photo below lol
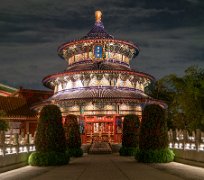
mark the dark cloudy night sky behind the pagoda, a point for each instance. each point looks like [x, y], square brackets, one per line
[170, 34]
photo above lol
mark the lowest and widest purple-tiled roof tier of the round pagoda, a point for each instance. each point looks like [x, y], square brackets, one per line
[102, 95]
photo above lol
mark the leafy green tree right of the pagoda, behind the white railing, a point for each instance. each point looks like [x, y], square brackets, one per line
[185, 98]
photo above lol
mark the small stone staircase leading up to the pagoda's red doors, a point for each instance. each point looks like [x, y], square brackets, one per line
[100, 148]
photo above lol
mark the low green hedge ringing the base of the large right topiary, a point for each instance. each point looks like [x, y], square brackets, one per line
[155, 156]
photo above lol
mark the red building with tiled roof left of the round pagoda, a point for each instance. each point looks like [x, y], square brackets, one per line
[17, 106]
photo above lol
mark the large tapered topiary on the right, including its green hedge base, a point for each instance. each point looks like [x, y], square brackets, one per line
[153, 138]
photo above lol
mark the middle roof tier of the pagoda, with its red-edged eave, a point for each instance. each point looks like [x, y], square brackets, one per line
[88, 71]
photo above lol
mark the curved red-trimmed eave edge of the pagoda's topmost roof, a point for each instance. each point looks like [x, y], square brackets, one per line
[67, 44]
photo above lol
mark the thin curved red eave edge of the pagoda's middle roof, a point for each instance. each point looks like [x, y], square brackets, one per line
[57, 75]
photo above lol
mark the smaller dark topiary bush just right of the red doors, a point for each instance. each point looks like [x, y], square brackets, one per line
[130, 135]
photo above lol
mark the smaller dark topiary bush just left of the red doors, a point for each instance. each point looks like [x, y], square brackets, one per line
[73, 137]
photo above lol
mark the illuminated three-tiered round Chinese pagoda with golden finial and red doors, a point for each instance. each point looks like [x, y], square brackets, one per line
[98, 84]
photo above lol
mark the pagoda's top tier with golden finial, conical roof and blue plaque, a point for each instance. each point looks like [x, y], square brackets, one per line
[98, 45]
